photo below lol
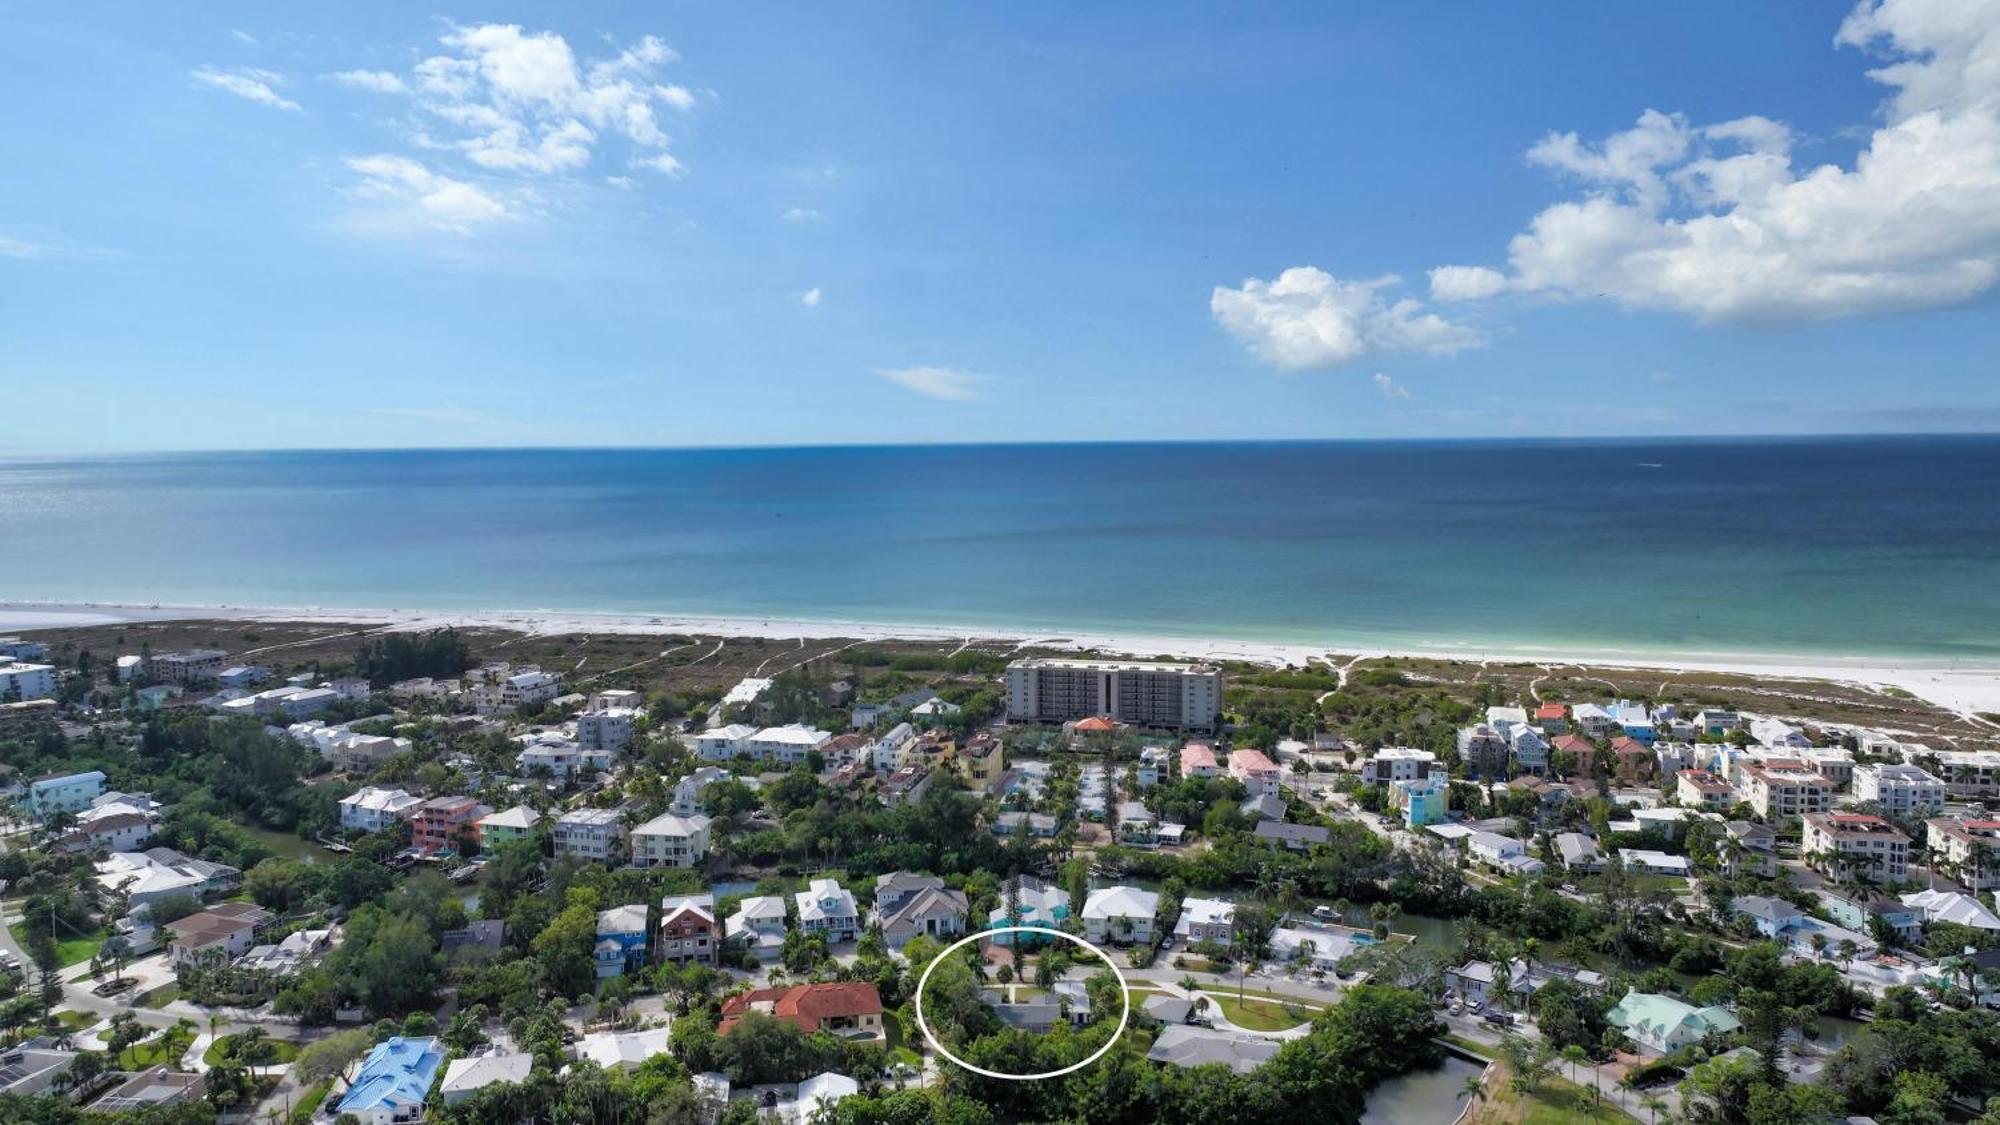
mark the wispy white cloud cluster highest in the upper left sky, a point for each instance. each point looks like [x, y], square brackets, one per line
[521, 101]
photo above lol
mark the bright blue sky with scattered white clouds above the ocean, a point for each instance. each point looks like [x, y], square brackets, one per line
[385, 225]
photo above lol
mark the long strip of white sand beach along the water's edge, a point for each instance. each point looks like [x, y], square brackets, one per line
[1955, 686]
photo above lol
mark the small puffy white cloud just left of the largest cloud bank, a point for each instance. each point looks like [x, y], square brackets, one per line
[1309, 319]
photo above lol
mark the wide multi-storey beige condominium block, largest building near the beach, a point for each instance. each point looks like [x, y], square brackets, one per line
[1043, 690]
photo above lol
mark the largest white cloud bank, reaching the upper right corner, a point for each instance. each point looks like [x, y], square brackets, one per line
[1719, 223]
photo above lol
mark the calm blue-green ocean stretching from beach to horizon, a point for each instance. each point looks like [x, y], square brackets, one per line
[1867, 545]
